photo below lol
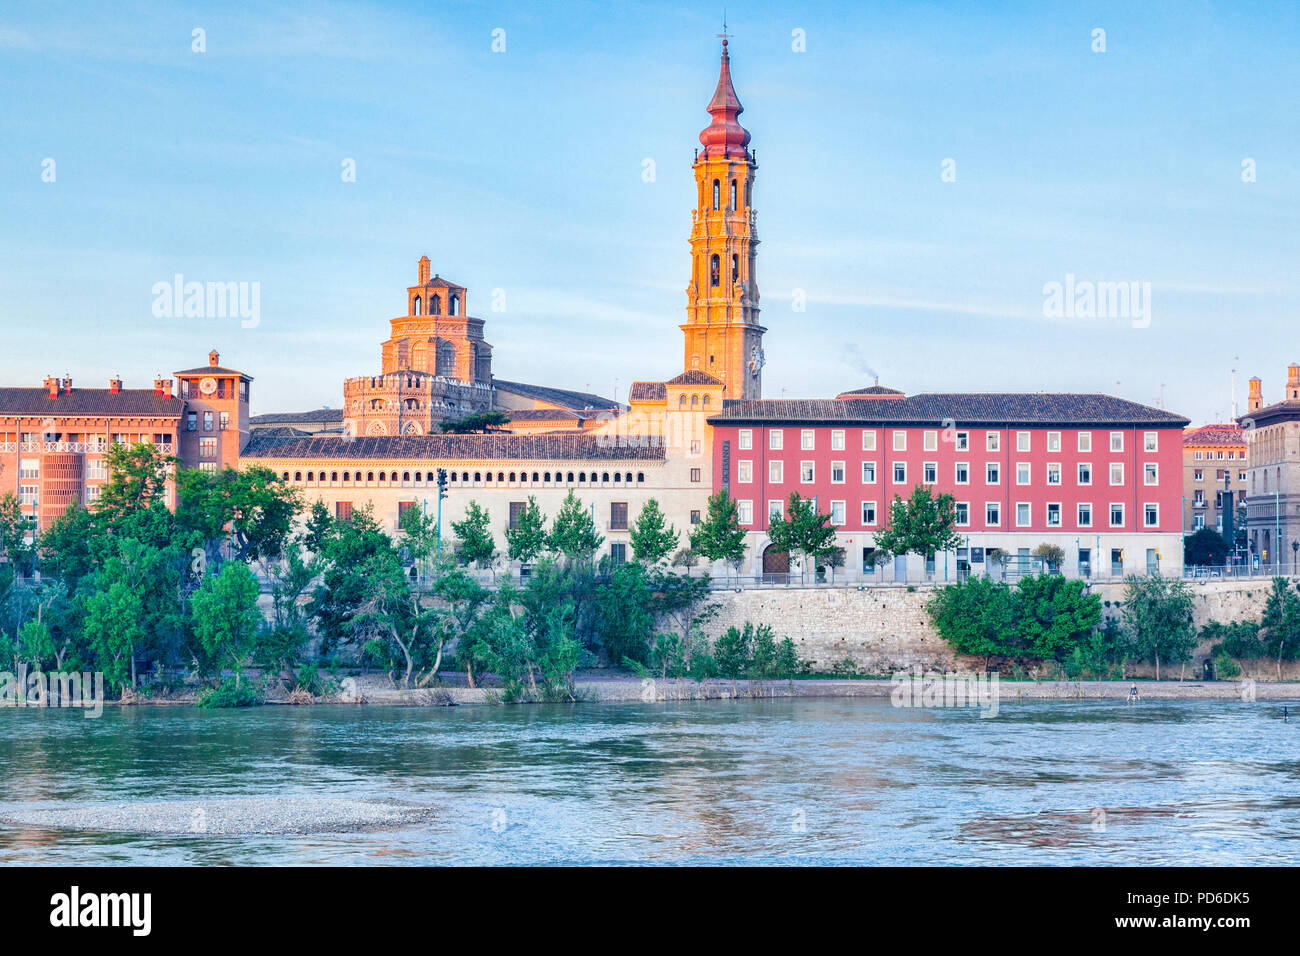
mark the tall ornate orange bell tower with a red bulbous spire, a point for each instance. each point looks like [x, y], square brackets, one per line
[722, 331]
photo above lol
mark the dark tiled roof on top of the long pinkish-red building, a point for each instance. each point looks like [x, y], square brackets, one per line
[963, 408]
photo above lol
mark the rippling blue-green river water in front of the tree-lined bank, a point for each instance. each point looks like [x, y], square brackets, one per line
[731, 782]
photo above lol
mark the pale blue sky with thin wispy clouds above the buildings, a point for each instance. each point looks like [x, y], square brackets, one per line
[926, 172]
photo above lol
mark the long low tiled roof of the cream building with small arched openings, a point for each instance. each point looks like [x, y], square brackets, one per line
[487, 448]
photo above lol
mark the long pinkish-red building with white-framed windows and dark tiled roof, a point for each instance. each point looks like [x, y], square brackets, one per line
[1098, 477]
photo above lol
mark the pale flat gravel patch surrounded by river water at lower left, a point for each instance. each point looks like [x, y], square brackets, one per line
[223, 817]
